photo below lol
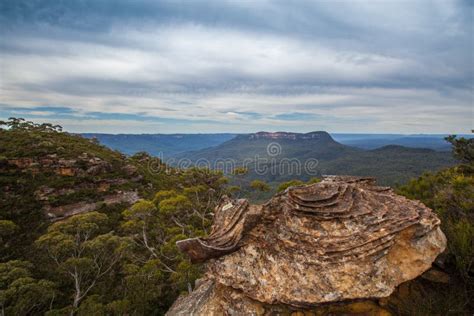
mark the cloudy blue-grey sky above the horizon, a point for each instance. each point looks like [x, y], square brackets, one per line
[241, 66]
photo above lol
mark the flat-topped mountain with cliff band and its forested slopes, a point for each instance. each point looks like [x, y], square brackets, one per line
[274, 157]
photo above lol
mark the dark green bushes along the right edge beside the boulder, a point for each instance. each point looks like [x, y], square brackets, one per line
[450, 193]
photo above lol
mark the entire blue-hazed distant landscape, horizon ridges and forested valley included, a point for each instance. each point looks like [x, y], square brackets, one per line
[391, 158]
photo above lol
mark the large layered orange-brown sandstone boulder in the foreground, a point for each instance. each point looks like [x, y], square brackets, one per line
[338, 240]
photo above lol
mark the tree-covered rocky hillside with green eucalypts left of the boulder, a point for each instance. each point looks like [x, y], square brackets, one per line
[76, 239]
